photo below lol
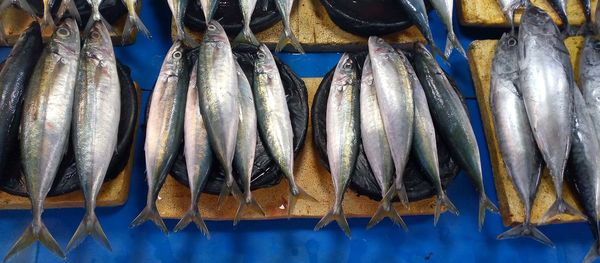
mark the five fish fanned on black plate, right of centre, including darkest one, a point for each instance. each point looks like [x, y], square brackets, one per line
[395, 109]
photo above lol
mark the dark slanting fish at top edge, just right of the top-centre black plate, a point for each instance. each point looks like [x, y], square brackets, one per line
[416, 11]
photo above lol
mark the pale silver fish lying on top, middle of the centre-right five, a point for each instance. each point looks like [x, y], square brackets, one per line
[395, 99]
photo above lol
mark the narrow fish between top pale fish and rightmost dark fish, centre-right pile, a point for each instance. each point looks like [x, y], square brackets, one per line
[424, 144]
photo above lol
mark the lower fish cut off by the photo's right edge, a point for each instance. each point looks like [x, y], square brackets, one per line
[584, 169]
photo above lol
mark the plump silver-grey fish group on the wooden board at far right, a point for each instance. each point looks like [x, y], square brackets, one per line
[541, 116]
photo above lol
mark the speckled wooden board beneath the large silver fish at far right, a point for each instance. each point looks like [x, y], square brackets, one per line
[480, 56]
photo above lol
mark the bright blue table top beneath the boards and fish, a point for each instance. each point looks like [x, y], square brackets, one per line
[454, 239]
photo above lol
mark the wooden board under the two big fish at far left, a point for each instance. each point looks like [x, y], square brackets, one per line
[112, 193]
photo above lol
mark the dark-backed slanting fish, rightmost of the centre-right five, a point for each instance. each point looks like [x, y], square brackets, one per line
[452, 122]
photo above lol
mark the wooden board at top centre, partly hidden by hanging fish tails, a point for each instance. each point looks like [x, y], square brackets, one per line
[317, 32]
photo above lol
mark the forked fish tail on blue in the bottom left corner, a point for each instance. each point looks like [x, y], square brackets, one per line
[34, 232]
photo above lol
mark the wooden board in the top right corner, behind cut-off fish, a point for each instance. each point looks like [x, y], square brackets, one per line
[487, 13]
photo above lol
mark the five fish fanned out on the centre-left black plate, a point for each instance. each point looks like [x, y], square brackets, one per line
[219, 114]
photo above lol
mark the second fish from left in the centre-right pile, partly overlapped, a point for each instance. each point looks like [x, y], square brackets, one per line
[376, 146]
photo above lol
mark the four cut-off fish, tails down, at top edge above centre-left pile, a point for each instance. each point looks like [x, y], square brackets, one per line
[209, 7]
